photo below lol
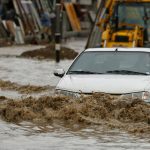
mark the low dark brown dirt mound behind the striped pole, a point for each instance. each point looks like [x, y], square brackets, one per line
[49, 53]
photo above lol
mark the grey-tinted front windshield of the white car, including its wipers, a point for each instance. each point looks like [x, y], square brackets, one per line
[99, 62]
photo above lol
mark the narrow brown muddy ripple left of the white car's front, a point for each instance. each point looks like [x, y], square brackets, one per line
[23, 89]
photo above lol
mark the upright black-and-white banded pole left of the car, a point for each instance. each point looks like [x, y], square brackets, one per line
[58, 31]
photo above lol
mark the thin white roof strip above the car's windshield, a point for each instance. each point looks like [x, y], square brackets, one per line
[119, 49]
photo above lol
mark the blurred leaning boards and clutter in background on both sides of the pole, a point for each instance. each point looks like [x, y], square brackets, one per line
[34, 19]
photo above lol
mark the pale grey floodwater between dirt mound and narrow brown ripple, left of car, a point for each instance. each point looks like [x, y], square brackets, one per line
[28, 71]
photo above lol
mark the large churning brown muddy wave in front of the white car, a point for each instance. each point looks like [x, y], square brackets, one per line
[132, 115]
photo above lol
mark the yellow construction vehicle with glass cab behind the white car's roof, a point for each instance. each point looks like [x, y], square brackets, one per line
[125, 23]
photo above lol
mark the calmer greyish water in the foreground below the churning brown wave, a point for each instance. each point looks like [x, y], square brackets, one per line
[58, 137]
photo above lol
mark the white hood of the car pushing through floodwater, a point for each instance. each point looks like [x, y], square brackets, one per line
[114, 84]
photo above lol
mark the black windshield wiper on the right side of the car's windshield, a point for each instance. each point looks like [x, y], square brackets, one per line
[126, 72]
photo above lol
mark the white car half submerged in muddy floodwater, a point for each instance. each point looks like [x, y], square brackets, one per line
[117, 71]
